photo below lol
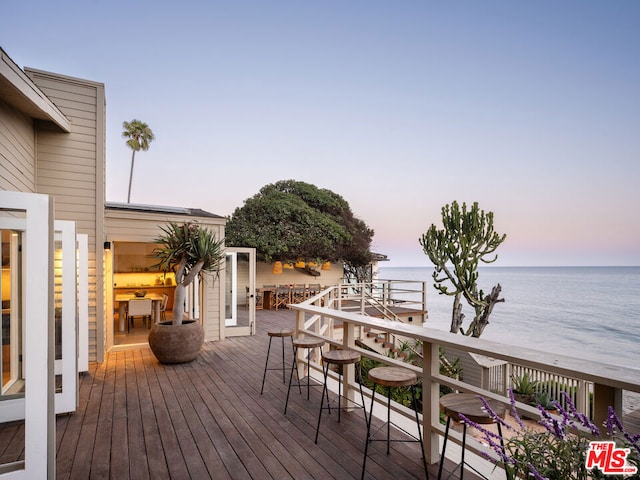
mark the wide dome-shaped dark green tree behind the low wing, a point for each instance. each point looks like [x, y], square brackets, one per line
[290, 220]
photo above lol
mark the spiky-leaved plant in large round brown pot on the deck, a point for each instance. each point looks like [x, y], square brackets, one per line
[188, 250]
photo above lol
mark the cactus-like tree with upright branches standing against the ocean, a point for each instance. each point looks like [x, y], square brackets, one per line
[467, 238]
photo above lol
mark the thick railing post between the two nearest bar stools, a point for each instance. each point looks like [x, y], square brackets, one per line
[430, 401]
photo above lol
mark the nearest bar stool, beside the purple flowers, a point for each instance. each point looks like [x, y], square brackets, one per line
[469, 405]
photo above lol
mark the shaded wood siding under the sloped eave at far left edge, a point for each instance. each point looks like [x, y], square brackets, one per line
[17, 150]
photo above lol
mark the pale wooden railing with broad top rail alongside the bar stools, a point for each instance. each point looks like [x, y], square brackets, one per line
[318, 316]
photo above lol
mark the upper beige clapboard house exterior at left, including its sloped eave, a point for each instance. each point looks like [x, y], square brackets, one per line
[52, 141]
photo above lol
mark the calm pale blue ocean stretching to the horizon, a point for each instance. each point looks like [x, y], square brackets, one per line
[587, 312]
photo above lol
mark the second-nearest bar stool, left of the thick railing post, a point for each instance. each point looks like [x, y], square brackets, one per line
[393, 377]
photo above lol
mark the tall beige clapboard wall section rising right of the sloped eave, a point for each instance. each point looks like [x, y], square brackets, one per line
[71, 168]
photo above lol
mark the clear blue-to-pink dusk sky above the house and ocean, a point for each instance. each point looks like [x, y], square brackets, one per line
[531, 109]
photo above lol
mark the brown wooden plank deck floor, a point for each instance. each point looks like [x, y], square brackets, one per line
[139, 419]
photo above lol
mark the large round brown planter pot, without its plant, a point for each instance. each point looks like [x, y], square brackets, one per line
[176, 343]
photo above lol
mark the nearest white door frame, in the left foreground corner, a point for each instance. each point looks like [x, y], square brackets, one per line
[38, 309]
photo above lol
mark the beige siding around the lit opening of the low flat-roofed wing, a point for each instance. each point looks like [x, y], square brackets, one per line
[128, 226]
